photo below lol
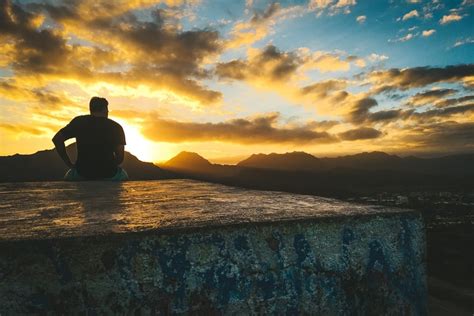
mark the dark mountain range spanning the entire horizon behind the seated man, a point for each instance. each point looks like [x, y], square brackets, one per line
[297, 172]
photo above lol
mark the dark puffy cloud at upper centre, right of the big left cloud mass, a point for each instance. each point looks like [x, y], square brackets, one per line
[270, 64]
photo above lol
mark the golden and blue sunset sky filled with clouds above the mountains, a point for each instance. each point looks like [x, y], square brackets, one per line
[227, 79]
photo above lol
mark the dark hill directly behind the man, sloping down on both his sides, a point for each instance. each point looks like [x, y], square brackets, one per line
[46, 165]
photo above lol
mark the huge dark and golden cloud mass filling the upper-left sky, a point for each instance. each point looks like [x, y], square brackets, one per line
[153, 52]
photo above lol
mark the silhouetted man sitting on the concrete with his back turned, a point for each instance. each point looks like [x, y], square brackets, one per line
[100, 145]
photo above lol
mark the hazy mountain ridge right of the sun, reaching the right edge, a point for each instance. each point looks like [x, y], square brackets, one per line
[344, 176]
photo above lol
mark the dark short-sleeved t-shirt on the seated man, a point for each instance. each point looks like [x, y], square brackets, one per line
[96, 138]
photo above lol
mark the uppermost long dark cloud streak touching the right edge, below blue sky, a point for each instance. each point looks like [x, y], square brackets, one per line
[403, 79]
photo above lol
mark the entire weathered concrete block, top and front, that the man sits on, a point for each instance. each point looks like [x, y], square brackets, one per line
[190, 247]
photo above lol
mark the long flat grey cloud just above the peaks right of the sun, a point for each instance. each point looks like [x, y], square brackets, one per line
[261, 129]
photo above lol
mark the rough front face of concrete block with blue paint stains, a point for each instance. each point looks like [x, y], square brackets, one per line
[367, 265]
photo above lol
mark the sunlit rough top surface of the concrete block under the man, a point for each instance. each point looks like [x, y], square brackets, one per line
[44, 210]
